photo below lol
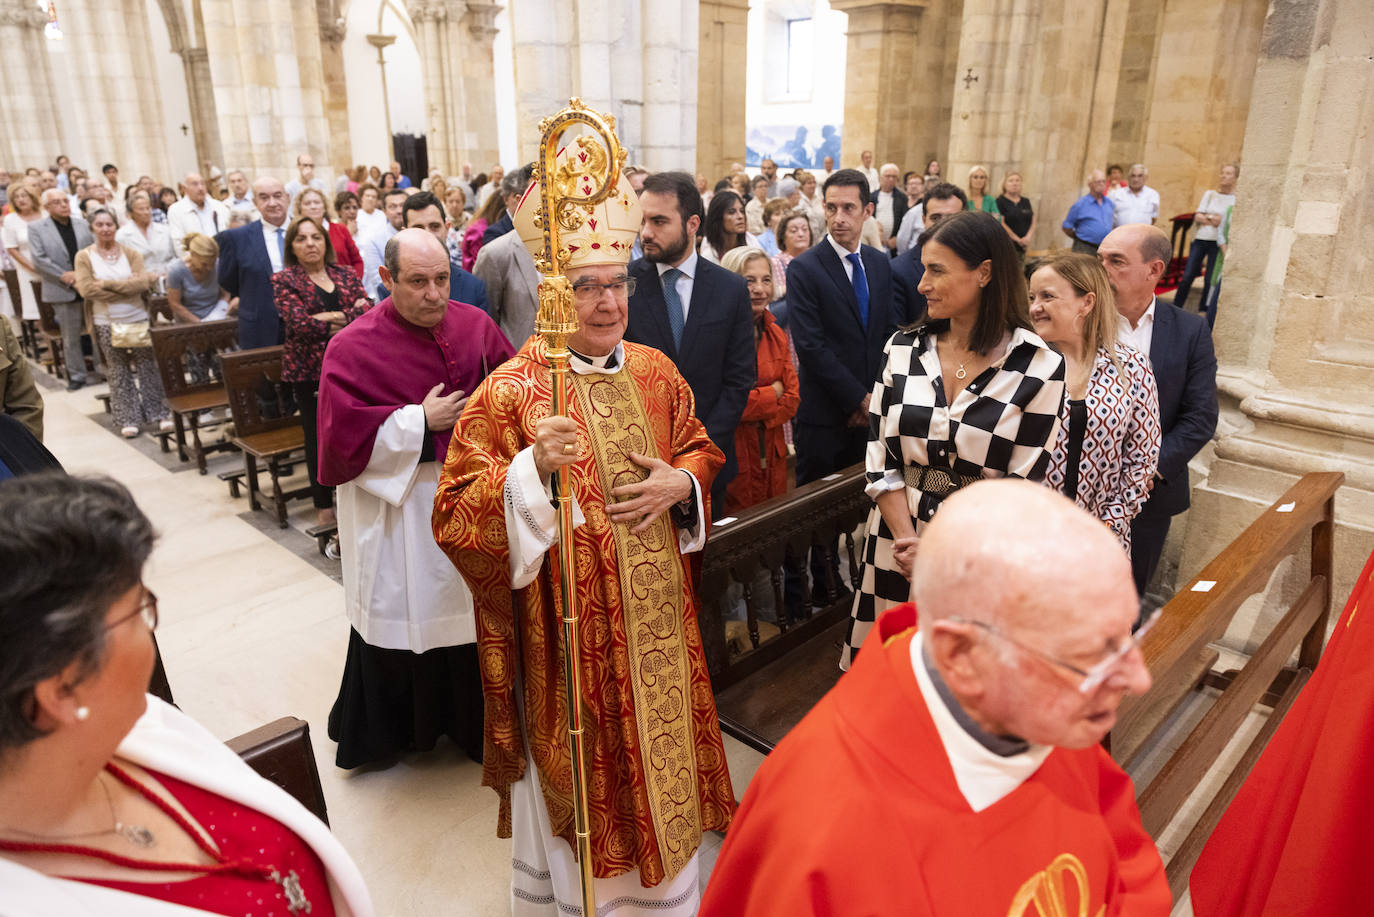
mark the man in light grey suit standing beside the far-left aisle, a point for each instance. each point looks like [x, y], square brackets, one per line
[54, 243]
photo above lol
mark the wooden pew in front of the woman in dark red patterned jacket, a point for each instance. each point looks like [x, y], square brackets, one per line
[256, 395]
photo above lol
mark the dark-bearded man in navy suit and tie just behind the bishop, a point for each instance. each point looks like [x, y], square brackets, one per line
[696, 313]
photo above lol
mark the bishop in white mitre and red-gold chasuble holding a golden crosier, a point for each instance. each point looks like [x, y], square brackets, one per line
[641, 468]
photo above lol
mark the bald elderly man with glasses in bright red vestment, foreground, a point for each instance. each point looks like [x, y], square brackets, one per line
[957, 768]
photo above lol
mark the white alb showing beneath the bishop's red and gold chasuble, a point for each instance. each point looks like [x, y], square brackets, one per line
[545, 878]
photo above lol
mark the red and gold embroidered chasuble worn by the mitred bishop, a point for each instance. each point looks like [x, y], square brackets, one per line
[657, 766]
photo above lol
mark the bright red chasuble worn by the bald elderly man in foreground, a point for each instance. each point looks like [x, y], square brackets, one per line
[857, 813]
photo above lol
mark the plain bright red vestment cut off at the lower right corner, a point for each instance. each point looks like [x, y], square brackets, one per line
[1299, 835]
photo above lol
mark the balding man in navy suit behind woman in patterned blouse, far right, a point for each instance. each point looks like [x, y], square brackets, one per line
[1180, 346]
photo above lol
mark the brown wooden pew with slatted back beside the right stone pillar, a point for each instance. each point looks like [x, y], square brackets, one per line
[1181, 661]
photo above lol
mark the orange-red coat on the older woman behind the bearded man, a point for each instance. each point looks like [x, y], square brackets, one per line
[761, 446]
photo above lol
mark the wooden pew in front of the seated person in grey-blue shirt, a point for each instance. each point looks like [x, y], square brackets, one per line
[186, 397]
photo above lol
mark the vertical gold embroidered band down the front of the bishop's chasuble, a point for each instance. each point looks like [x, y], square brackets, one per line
[653, 596]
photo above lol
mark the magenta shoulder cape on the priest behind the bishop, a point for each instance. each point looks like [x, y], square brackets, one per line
[381, 364]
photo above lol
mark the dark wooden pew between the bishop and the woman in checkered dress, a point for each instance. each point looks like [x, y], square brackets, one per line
[765, 692]
